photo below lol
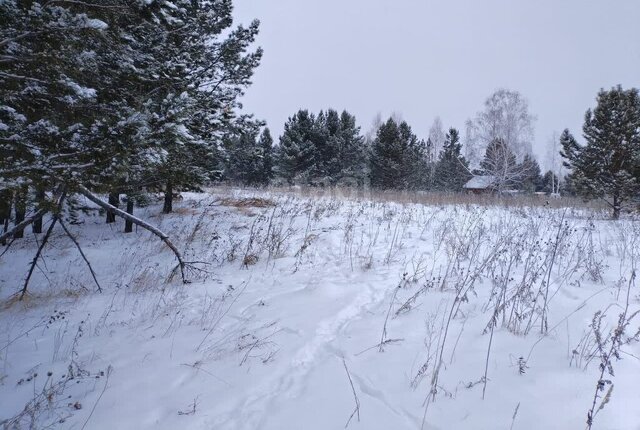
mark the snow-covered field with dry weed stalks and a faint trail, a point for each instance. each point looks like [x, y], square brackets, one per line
[301, 308]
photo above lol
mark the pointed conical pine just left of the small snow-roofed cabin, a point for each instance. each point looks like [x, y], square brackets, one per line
[452, 169]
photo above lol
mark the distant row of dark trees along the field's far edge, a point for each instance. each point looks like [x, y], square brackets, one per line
[329, 149]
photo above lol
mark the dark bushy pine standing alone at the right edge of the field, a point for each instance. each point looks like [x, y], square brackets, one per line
[608, 167]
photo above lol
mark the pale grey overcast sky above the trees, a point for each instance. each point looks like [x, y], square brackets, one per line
[431, 58]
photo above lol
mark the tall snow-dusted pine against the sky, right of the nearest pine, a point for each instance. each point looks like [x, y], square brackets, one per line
[200, 71]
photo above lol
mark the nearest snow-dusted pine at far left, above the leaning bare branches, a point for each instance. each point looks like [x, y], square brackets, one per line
[62, 111]
